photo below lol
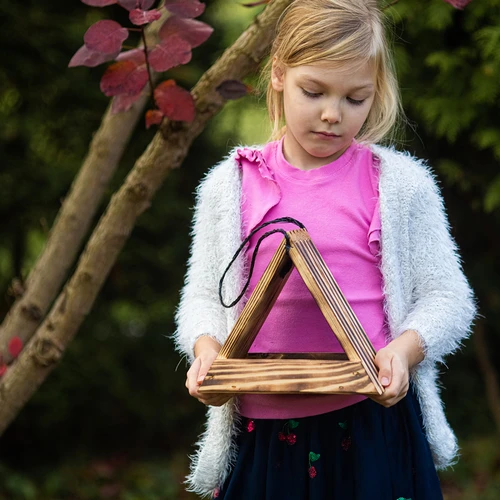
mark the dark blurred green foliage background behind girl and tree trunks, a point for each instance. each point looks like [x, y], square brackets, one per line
[114, 419]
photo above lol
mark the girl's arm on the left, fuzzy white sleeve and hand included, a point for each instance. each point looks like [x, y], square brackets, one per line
[202, 322]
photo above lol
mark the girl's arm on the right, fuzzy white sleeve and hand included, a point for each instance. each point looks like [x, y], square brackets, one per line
[442, 306]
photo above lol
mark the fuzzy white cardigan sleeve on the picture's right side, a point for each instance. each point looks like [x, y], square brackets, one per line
[443, 304]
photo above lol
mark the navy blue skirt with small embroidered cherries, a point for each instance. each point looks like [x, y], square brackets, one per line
[362, 452]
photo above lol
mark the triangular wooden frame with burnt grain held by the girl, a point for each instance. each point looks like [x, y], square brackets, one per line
[236, 371]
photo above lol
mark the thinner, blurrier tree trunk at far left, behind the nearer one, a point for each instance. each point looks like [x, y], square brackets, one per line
[73, 222]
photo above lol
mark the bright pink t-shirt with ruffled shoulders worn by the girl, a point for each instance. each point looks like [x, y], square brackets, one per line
[338, 204]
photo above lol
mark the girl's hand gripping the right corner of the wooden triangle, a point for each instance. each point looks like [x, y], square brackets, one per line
[394, 363]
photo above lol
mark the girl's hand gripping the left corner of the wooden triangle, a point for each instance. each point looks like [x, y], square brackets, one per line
[206, 350]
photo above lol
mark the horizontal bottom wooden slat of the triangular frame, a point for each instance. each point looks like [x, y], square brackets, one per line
[291, 376]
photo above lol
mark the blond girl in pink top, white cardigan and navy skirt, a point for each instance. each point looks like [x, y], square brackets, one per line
[378, 220]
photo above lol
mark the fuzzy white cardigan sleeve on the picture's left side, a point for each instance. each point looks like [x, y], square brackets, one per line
[199, 311]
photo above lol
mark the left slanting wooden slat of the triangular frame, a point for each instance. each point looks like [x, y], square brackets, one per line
[258, 306]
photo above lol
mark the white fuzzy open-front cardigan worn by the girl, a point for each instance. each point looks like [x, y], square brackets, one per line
[424, 290]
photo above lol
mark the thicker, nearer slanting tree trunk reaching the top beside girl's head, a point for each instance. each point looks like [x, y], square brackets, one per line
[165, 152]
